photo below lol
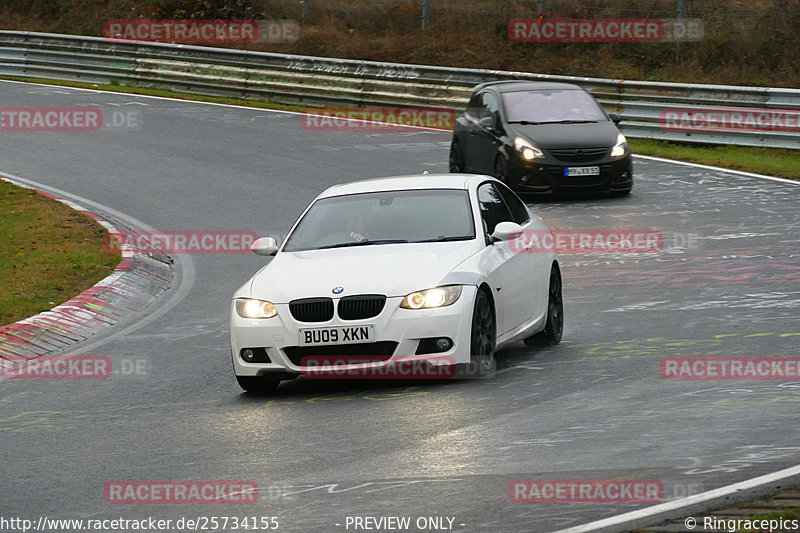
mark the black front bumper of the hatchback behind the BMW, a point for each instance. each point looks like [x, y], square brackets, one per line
[547, 176]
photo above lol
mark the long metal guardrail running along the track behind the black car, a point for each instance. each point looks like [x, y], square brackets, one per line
[317, 81]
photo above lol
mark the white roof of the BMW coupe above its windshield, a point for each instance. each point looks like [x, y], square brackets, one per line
[408, 182]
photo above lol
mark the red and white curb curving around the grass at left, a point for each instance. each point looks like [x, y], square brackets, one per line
[134, 284]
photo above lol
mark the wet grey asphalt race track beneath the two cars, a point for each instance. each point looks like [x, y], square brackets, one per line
[594, 407]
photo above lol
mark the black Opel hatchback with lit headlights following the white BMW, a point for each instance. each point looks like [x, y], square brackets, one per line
[542, 137]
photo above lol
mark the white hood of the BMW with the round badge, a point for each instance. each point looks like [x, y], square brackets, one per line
[390, 269]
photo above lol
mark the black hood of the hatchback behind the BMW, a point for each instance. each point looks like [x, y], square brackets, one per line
[587, 135]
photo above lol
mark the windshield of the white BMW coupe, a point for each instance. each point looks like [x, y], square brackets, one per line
[391, 217]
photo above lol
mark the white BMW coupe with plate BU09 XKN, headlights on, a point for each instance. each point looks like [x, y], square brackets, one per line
[411, 266]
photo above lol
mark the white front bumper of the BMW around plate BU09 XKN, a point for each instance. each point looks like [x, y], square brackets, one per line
[398, 333]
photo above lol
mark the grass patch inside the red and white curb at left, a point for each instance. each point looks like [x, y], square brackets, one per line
[48, 253]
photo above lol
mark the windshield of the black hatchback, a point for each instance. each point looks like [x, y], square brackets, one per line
[547, 107]
